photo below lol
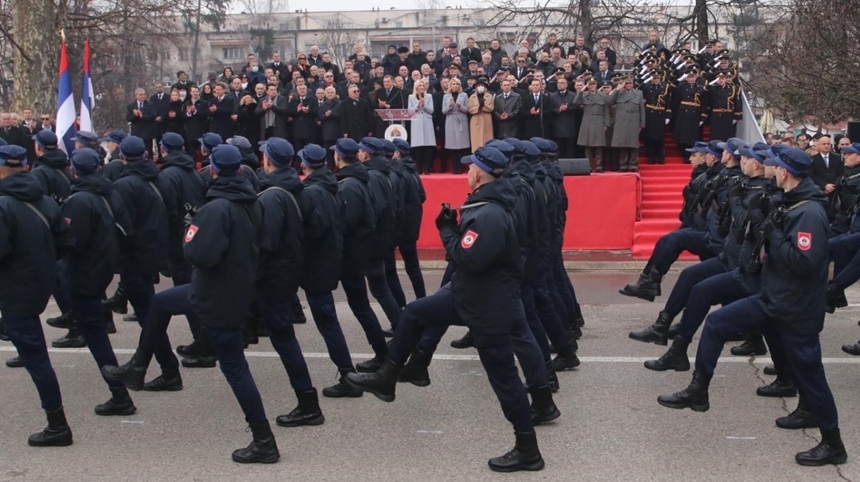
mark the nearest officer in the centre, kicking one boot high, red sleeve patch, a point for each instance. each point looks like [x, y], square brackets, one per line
[483, 295]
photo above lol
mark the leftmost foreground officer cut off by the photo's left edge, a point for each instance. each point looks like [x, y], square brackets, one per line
[35, 235]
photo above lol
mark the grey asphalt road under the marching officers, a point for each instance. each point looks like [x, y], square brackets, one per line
[611, 429]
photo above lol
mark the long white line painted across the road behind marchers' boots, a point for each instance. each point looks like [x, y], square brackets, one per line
[363, 356]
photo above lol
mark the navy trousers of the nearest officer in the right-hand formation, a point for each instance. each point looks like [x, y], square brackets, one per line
[800, 353]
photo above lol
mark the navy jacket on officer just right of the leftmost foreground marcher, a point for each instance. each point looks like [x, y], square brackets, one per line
[94, 258]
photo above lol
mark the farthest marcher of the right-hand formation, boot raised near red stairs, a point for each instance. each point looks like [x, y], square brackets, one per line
[671, 245]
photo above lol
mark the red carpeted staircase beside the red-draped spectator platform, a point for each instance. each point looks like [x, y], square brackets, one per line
[661, 198]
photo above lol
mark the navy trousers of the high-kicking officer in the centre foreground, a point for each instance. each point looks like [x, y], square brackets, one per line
[496, 352]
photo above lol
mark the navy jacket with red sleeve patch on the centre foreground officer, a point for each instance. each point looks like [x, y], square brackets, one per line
[487, 260]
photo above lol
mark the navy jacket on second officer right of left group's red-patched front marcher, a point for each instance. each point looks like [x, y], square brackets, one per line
[323, 232]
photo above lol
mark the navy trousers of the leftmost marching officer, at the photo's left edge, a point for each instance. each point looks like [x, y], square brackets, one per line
[29, 339]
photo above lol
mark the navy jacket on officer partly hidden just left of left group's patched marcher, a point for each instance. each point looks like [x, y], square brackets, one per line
[181, 186]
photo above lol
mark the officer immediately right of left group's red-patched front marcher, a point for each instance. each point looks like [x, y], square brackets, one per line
[282, 250]
